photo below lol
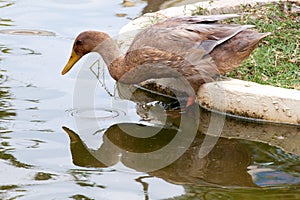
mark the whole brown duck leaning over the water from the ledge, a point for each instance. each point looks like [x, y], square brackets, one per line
[196, 48]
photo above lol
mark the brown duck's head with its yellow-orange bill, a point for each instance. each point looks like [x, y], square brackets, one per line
[85, 43]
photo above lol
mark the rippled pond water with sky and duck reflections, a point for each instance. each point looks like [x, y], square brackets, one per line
[55, 145]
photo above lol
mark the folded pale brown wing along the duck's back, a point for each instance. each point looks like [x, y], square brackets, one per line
[180, 34]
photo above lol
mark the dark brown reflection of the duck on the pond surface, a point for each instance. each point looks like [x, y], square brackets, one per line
[225, 165]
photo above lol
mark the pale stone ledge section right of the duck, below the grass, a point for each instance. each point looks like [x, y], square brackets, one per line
[252, 100]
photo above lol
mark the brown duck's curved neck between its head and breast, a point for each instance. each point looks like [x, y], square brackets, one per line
[112, 57]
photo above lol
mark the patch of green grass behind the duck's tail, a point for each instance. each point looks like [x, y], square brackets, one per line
[277, 59]
